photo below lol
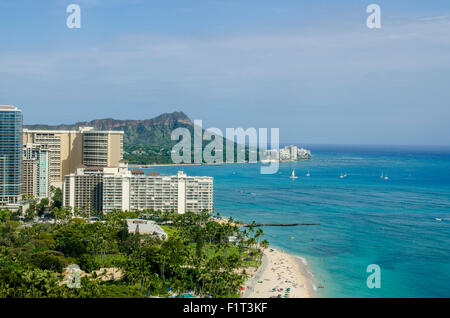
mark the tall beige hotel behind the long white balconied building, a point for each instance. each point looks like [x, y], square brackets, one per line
[69, 149]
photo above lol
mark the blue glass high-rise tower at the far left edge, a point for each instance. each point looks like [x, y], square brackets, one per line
[10, 155]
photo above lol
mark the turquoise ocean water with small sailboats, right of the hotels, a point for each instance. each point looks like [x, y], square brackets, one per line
[364, 219]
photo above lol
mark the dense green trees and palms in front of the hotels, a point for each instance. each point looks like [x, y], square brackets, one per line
[198, 257]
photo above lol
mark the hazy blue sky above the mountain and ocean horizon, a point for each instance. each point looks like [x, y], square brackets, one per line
[313, 69]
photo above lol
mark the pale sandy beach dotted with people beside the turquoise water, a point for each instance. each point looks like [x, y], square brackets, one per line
[281, 275]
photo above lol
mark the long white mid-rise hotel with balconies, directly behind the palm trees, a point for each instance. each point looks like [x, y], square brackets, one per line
[108, 189]
